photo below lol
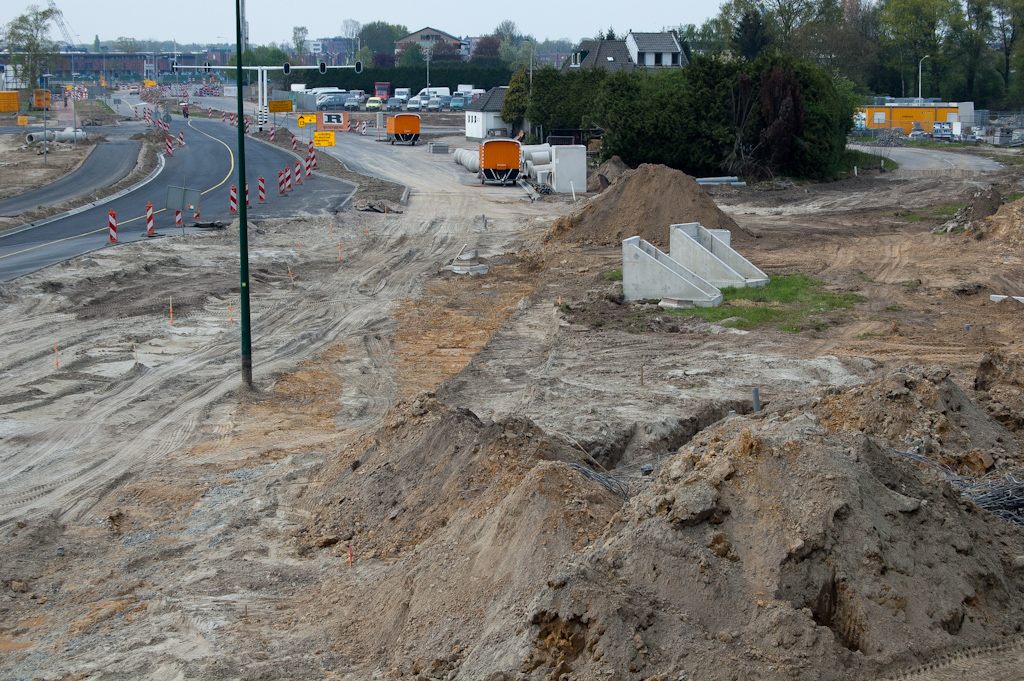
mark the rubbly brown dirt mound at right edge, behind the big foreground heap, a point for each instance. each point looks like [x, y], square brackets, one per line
[922, 410]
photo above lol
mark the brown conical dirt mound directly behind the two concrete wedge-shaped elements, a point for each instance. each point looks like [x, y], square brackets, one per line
[645, 202]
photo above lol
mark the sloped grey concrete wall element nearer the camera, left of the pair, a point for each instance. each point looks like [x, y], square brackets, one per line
[648, 273]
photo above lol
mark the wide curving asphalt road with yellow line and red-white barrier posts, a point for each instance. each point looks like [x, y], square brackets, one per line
[208, 163]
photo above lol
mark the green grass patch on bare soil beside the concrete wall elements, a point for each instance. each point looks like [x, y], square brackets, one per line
[792, 302]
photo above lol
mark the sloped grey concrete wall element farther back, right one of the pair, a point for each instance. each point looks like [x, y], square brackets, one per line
[704, 253]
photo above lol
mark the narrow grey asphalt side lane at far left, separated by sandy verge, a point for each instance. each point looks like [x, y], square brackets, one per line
[108, 163]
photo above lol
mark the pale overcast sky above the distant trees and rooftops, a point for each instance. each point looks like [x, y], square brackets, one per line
[272, 21]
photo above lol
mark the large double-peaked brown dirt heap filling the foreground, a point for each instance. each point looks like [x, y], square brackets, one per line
[766, 548]
